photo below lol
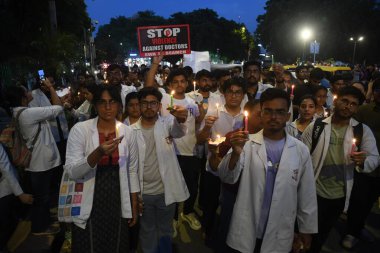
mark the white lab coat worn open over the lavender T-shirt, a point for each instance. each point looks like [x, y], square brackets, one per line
[294, 196]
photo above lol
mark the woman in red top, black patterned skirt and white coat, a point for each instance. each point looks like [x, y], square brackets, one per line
[102, 158]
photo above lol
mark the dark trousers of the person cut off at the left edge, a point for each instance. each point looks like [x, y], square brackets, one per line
[8, 219]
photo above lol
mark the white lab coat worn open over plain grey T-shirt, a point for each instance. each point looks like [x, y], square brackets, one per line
[175, 188]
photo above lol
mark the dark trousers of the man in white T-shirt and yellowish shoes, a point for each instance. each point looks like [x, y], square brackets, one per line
[190, 170]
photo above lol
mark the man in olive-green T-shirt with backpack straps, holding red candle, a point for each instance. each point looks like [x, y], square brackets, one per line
[333, 165]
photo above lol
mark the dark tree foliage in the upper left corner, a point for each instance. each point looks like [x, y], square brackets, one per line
[27, 42]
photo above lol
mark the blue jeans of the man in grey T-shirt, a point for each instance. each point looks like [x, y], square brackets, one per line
[156, 227]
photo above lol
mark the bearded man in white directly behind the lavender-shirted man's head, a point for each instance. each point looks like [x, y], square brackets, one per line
[252, 74]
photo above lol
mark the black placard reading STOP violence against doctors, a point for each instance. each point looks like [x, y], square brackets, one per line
[168, 40]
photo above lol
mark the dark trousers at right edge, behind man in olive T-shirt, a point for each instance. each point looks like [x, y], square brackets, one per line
[364, 193]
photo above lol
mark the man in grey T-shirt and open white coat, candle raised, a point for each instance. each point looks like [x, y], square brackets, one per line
[161, 180]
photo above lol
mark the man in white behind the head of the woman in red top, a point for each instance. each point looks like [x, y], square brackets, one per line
[115, 78]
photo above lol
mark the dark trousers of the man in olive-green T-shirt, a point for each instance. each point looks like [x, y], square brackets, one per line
[328, 213]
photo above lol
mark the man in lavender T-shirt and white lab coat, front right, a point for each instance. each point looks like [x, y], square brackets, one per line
[276, 184]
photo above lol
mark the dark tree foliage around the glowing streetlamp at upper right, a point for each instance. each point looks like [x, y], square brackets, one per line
[333, 22]
